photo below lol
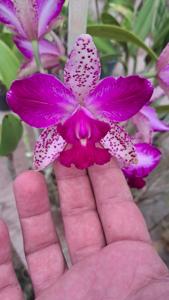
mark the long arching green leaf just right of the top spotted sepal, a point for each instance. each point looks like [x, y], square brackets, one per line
[119, 34]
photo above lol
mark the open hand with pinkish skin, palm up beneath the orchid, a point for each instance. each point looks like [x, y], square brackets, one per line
[111, 251]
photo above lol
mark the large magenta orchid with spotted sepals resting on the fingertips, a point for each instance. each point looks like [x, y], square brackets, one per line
[80, 116]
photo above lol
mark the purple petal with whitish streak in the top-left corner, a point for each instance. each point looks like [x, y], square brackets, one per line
[8, 16]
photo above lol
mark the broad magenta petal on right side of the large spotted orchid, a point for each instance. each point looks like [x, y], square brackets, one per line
[118, 99]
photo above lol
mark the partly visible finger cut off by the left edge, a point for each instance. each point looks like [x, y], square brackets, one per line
[9, 287]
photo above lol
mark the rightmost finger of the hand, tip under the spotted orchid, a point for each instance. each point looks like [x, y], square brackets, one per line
[120, 217]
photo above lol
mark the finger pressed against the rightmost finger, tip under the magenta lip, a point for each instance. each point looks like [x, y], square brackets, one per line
[83, 230]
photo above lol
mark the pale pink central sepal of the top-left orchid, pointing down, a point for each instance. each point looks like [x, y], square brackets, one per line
[27, 14]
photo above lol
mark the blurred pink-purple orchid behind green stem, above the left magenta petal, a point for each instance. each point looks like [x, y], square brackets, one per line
[50, 53]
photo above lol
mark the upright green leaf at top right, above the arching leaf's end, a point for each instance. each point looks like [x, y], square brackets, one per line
[145, 19]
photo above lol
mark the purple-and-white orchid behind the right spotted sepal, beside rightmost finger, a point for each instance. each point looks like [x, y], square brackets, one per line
[148, 158]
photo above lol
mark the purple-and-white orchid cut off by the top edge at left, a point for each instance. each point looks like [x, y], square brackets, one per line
[29, 19]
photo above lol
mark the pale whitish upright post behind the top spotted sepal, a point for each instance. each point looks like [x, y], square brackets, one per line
[78, 11]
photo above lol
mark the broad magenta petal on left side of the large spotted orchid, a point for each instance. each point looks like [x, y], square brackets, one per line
[41, 100]
